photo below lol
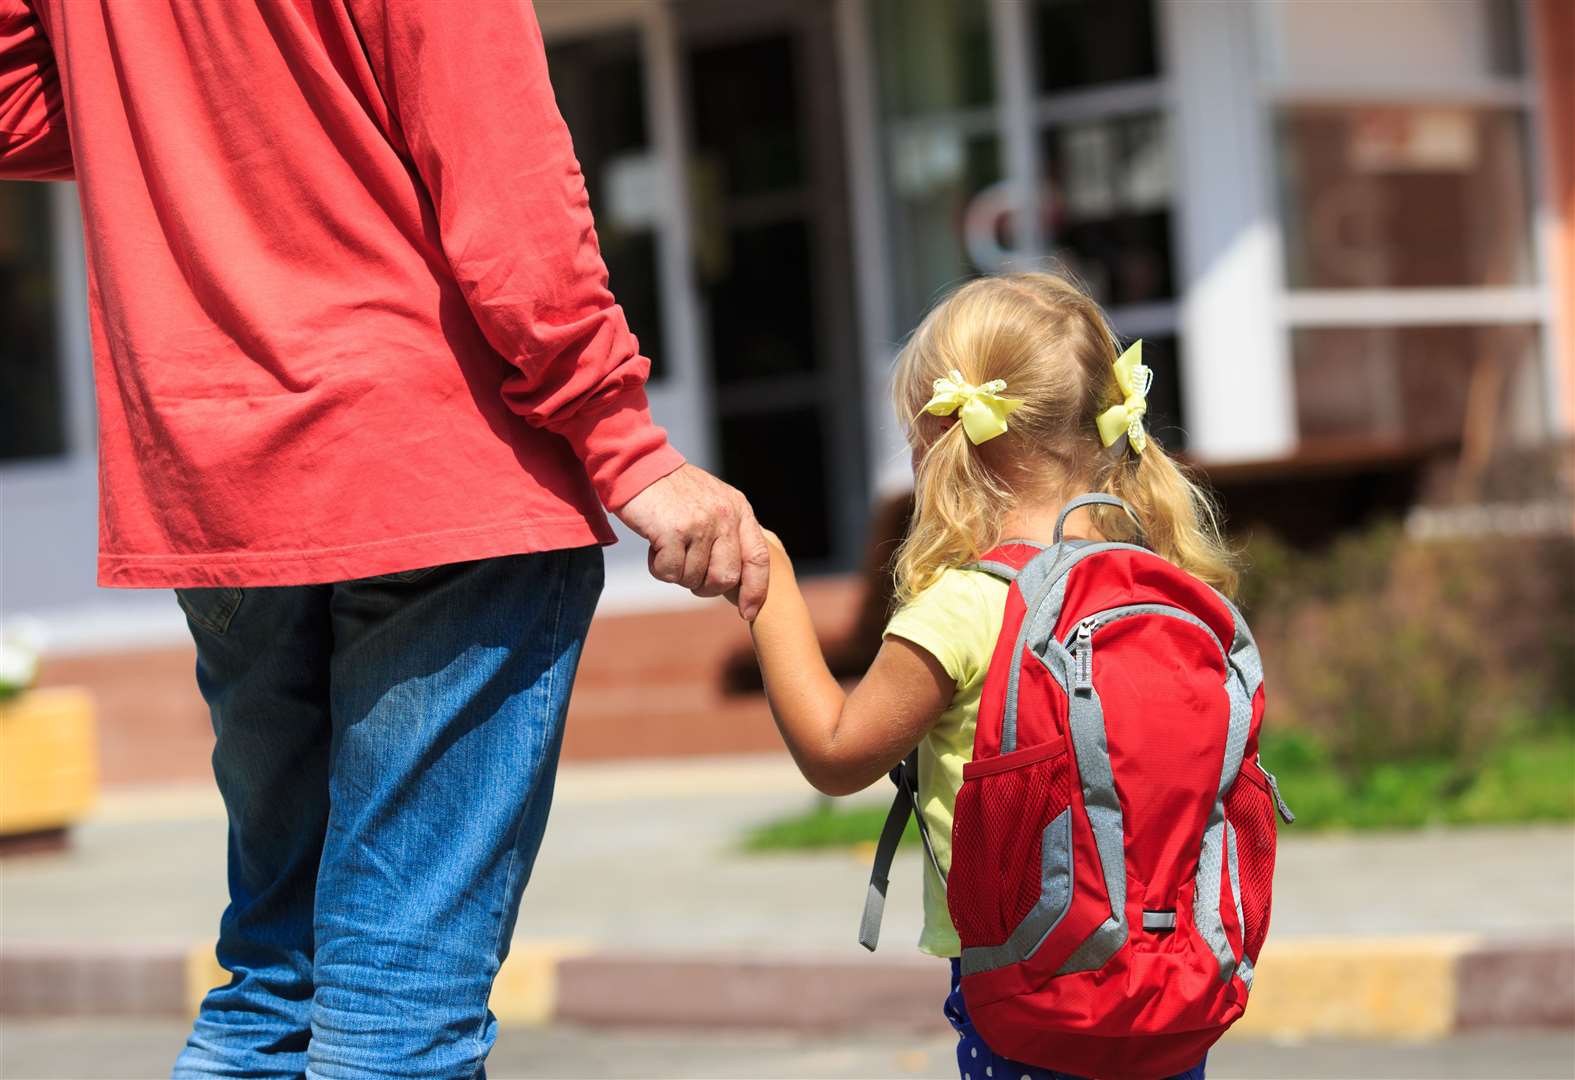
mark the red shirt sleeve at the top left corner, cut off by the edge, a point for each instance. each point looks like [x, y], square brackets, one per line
[34, 138]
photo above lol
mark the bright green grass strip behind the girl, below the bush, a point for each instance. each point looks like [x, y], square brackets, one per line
[1529, 779]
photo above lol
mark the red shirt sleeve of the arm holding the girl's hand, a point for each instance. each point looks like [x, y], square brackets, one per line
[472, 102]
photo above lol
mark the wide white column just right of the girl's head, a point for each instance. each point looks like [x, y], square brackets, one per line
[1237, 383]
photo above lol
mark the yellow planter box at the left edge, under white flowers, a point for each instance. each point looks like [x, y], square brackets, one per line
[48, 760]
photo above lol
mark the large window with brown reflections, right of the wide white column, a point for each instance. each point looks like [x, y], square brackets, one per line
[1406, 202]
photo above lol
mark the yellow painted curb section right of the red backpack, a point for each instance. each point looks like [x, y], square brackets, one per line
[1355, 988]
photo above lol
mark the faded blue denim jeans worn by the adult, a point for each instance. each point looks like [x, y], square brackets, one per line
[387, 753]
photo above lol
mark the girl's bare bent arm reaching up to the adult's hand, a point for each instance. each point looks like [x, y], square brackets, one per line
[842, 742]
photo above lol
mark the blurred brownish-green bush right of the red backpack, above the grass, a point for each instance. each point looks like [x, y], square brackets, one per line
[1388, 649]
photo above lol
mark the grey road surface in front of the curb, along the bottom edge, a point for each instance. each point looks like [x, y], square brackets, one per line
[133, 1051]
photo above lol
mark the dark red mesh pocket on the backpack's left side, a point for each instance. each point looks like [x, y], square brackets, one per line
[998, 841]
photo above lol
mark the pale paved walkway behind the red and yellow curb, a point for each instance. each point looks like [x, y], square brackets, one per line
[643, 856]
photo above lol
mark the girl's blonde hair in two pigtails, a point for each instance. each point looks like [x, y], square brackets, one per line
[1053, 346]
